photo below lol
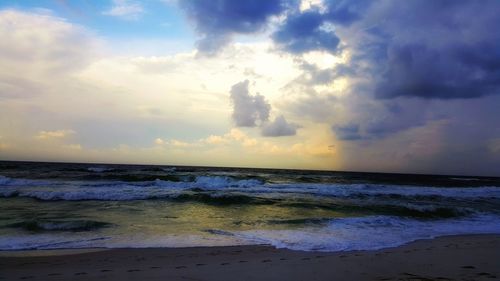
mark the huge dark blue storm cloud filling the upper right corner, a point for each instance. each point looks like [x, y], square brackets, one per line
[434, 49]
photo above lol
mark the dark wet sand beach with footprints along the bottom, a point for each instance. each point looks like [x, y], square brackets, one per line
[471, 257]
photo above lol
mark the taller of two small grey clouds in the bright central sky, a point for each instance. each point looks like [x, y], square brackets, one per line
[248, 110]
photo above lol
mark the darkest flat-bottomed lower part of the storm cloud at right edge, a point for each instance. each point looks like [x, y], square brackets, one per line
[453, 72]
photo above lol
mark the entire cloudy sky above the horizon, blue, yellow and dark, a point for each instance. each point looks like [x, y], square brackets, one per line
[380, 86]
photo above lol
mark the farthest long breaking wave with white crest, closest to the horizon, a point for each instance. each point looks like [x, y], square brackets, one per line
[165, 188]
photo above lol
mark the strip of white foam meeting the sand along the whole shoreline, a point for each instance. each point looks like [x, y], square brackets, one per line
[359, 233]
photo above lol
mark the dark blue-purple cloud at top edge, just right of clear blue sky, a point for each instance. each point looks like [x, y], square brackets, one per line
[218, 21]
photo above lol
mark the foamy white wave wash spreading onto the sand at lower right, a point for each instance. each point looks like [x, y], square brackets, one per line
[369, 233]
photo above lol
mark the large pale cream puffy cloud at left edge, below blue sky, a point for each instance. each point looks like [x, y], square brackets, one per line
[39, 50]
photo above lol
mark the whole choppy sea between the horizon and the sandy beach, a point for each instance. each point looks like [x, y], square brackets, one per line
[67, 206]
